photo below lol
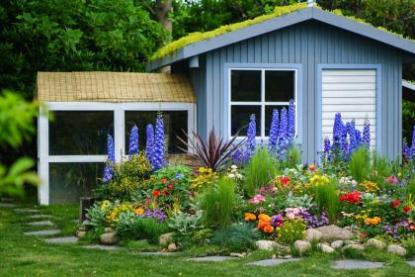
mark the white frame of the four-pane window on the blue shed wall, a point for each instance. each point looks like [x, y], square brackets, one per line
[262, 103]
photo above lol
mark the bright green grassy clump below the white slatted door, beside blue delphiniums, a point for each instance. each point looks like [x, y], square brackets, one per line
[359, 164]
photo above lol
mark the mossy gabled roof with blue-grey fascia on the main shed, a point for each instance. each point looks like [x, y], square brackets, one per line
[185, 48]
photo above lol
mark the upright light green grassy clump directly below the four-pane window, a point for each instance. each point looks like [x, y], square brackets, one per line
[261, 169]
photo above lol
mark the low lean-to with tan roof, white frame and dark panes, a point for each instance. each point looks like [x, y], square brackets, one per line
[87, 106]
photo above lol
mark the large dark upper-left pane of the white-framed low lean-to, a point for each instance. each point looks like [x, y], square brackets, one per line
[80, 132]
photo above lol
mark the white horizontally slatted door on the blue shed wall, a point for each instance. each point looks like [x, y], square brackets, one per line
[351, 93]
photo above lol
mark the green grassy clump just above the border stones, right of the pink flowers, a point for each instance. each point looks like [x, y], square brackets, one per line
[327, 199]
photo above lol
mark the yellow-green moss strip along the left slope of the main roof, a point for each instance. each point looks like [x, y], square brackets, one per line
[200, 36]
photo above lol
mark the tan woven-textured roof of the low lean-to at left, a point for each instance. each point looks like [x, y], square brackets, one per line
[113, 87]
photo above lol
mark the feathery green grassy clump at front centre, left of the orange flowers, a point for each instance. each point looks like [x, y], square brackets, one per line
[217, 203]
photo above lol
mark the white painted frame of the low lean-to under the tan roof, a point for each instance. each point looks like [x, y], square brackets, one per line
[118, 110]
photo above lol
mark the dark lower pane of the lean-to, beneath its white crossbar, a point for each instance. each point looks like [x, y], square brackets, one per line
[70, 181]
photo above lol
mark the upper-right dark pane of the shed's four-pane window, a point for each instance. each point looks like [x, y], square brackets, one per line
[279, 86]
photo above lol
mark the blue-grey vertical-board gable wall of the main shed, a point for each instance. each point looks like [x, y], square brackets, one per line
[308, 44]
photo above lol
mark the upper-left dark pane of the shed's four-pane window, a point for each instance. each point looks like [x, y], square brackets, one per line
[246, 85]
